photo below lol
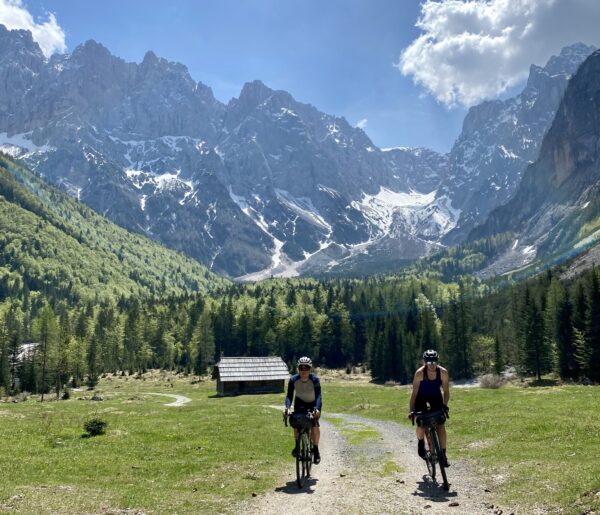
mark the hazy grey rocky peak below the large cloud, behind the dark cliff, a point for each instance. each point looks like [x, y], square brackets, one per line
[501, 138]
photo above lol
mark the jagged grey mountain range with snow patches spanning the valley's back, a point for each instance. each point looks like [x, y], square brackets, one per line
[263, 185]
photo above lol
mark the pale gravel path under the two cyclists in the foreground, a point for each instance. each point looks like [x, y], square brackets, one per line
[350, 479]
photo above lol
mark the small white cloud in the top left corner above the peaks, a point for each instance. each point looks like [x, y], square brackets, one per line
[49, 35]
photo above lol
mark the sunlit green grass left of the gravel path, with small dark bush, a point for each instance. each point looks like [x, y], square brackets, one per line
[154, 458]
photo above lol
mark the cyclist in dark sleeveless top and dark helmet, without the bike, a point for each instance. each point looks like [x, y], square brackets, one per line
[428, 384]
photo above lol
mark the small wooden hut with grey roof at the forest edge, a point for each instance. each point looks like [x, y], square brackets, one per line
[250, 375]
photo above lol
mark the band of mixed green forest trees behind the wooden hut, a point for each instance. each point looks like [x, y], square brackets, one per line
[544, 325]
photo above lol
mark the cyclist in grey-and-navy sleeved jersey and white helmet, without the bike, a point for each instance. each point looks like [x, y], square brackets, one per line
[307, 389]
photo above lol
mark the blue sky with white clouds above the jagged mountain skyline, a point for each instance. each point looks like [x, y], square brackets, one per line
[342, 56]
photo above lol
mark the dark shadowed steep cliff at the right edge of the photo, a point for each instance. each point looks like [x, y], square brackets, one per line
[559, 193]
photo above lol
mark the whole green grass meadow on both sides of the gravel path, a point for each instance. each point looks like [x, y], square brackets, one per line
[529, 444]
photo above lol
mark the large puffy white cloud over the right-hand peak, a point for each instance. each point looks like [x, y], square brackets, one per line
[470, 50]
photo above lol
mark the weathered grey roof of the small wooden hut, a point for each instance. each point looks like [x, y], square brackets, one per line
[251, 369]
